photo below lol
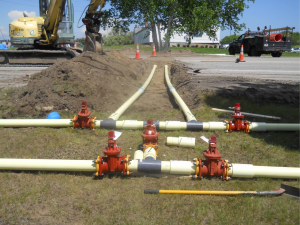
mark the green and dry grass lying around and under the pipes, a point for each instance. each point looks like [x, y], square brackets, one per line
[63, 198]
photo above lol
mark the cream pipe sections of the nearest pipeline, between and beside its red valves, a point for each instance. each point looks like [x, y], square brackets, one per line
[171, 167]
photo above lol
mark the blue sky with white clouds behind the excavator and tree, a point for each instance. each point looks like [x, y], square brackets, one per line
[261, 13]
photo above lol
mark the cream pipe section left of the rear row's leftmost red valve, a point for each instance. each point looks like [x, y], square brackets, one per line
[36, 123]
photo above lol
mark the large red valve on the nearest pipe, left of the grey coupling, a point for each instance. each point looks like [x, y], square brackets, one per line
[112, 162]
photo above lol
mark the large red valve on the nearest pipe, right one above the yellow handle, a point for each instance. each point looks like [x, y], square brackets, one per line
[212, 165]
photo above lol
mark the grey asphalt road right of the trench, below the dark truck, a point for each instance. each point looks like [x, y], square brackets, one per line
[283, 68]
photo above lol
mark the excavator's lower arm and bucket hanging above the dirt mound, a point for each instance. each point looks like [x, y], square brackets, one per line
[93, 39]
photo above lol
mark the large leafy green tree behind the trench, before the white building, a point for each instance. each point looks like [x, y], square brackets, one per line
[188, 16]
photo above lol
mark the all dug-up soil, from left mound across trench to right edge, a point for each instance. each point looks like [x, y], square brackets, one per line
[107, 81]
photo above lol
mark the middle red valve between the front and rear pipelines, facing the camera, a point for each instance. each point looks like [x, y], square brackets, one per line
[150, 136]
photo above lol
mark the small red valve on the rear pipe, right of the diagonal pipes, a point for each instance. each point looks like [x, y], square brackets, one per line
[237, 123]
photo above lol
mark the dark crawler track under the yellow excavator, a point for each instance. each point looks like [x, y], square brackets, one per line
[34, 57]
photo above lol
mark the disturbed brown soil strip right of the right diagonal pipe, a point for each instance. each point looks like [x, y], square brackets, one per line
[190, 85]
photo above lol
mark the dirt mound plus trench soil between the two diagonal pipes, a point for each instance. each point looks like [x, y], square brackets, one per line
[104, 81]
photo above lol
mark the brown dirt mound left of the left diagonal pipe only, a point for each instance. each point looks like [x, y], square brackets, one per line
[104, 81]
